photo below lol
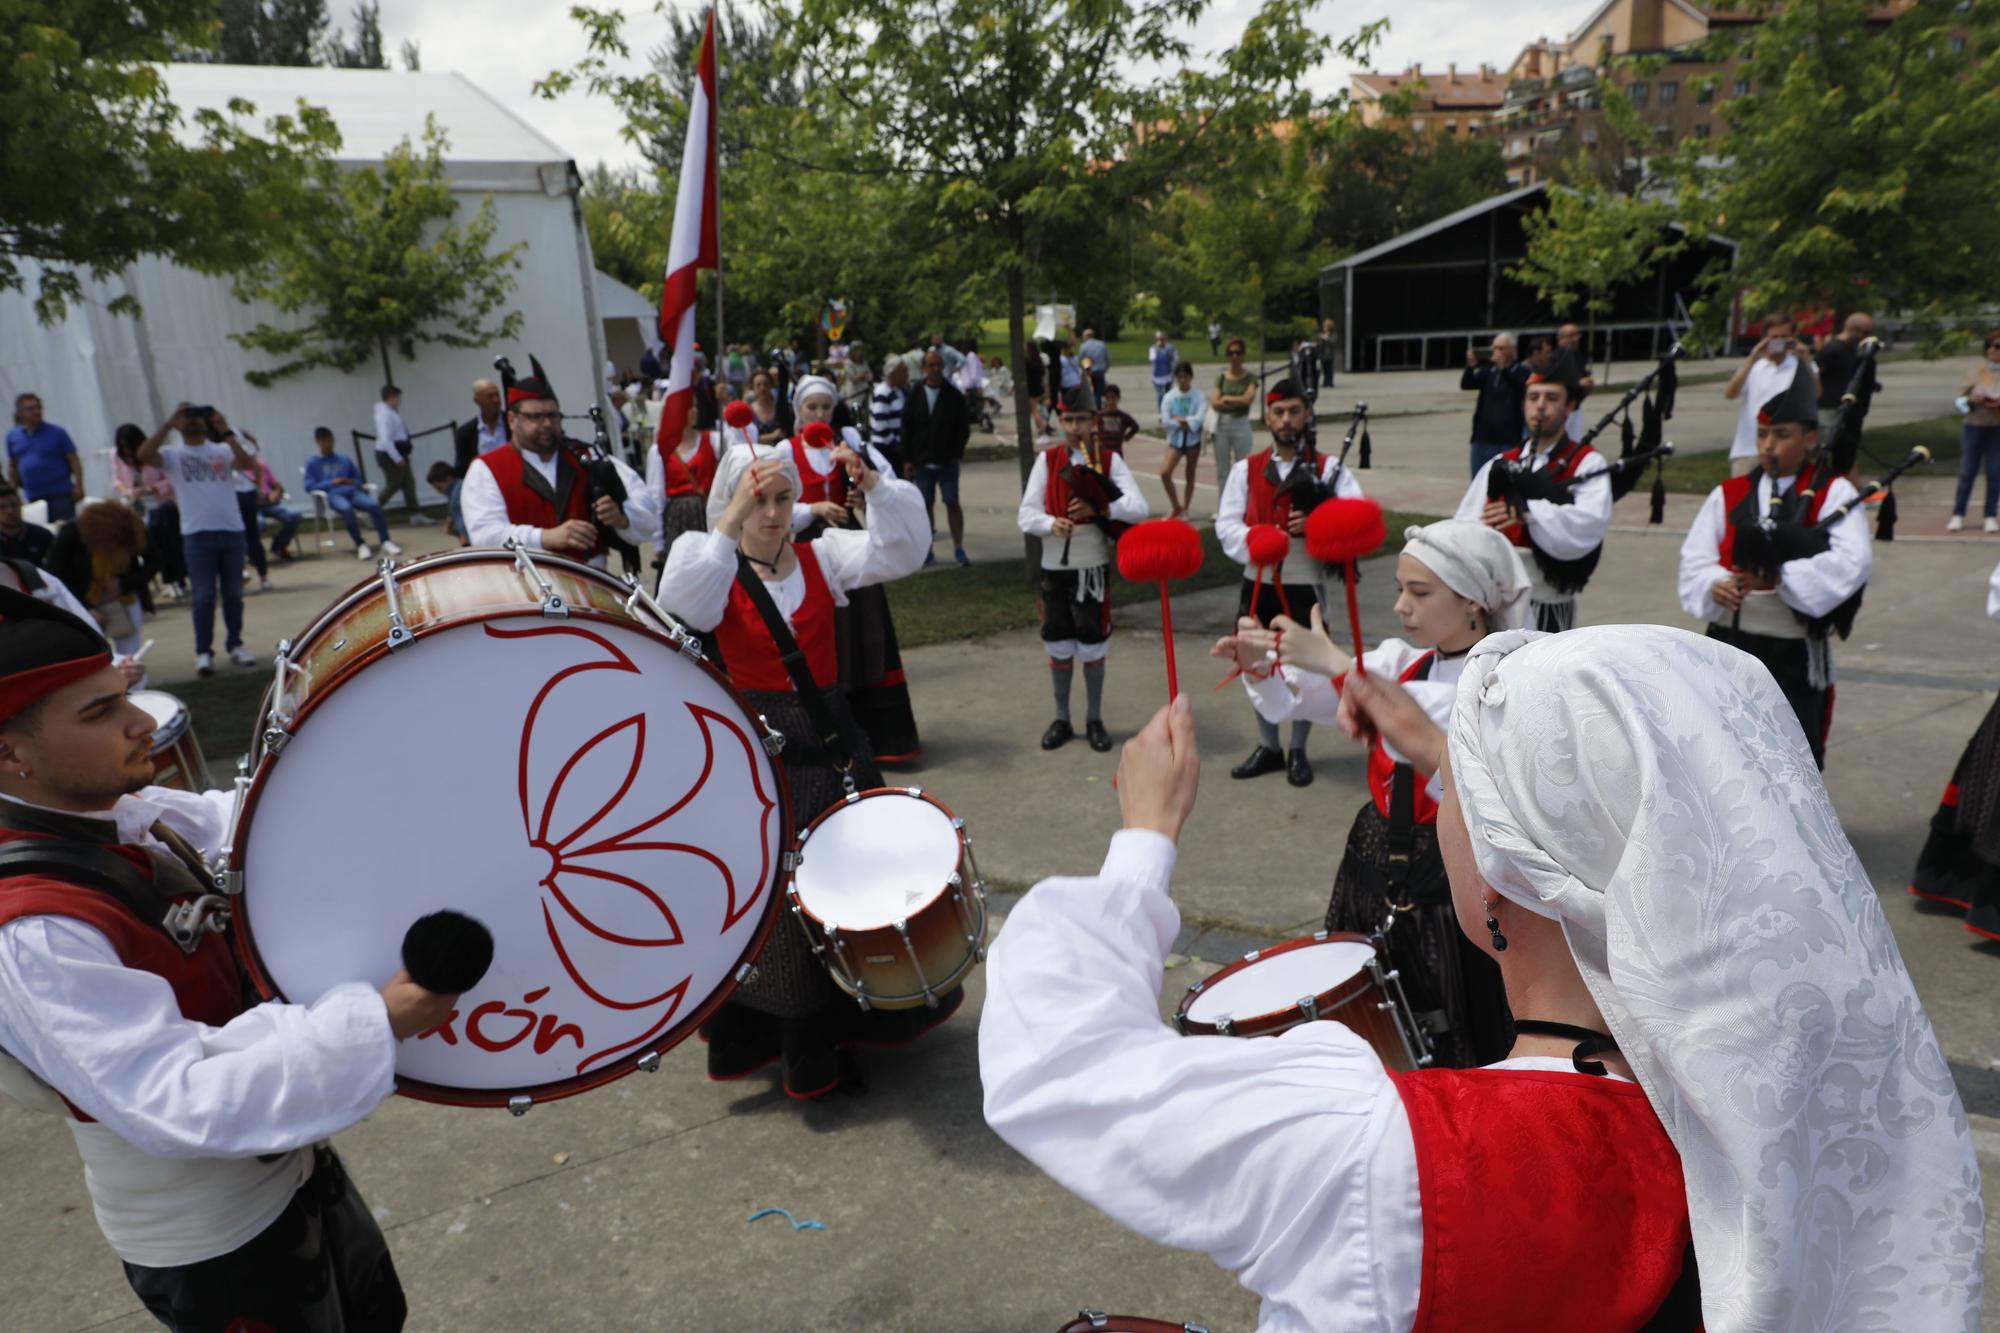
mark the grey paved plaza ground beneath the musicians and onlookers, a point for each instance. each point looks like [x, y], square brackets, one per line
[625, 1208]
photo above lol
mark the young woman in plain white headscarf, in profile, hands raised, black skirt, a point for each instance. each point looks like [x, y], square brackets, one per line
[1455, 585]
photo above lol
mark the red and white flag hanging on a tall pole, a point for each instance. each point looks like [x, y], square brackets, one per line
[693, 247]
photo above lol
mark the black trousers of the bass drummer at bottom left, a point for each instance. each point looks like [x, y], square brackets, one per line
[321, 1268]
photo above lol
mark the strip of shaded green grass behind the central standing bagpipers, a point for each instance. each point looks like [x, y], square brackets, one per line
[993, 595]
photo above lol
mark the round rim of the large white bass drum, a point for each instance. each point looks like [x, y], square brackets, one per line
[627, 1064]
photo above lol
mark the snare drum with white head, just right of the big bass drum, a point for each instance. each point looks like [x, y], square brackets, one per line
[889, 894]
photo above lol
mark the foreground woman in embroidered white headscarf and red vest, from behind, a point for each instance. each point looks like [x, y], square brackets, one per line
[1723, 1080]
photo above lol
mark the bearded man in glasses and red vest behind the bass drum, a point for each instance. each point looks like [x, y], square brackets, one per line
[535, 493]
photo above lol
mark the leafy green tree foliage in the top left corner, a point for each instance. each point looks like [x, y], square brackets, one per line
[99, 169]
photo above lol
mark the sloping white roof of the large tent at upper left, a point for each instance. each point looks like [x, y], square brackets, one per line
[373, 109]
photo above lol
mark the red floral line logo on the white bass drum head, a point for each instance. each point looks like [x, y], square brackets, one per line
[595, 902]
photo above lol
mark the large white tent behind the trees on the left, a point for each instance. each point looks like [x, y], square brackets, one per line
[97, 371]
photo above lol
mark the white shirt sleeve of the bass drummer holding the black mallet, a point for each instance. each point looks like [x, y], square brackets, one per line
[113, 1040]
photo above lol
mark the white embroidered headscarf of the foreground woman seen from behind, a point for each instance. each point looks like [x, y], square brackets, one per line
[1653, 792]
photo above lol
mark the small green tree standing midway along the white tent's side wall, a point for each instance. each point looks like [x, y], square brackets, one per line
[383, 265]
